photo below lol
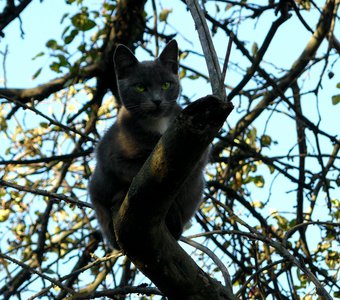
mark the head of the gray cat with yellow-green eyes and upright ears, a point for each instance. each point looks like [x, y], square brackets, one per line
[148, 88]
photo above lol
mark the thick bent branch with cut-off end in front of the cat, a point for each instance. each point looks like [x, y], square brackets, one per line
[151, 194]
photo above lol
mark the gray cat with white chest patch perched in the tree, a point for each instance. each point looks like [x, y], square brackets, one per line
[148, 93]
